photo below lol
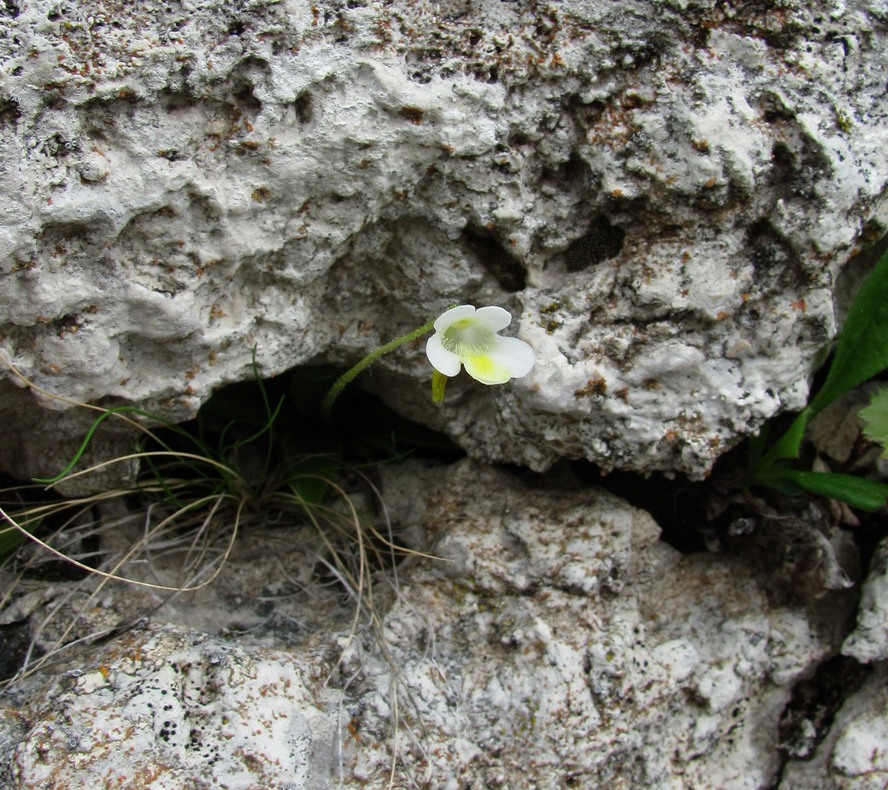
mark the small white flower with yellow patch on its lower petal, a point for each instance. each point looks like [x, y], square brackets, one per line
[466, 336]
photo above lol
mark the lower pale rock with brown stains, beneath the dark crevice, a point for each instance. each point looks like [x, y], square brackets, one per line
[553, 642]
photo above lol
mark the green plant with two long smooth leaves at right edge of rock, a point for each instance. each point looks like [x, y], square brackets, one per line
[861, 352]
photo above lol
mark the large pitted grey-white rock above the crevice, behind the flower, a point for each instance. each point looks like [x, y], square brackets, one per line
[662, 191]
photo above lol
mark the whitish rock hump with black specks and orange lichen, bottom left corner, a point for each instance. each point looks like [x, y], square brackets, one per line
[169, 709]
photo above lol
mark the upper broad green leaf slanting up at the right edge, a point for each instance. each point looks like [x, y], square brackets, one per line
[862, 347]
